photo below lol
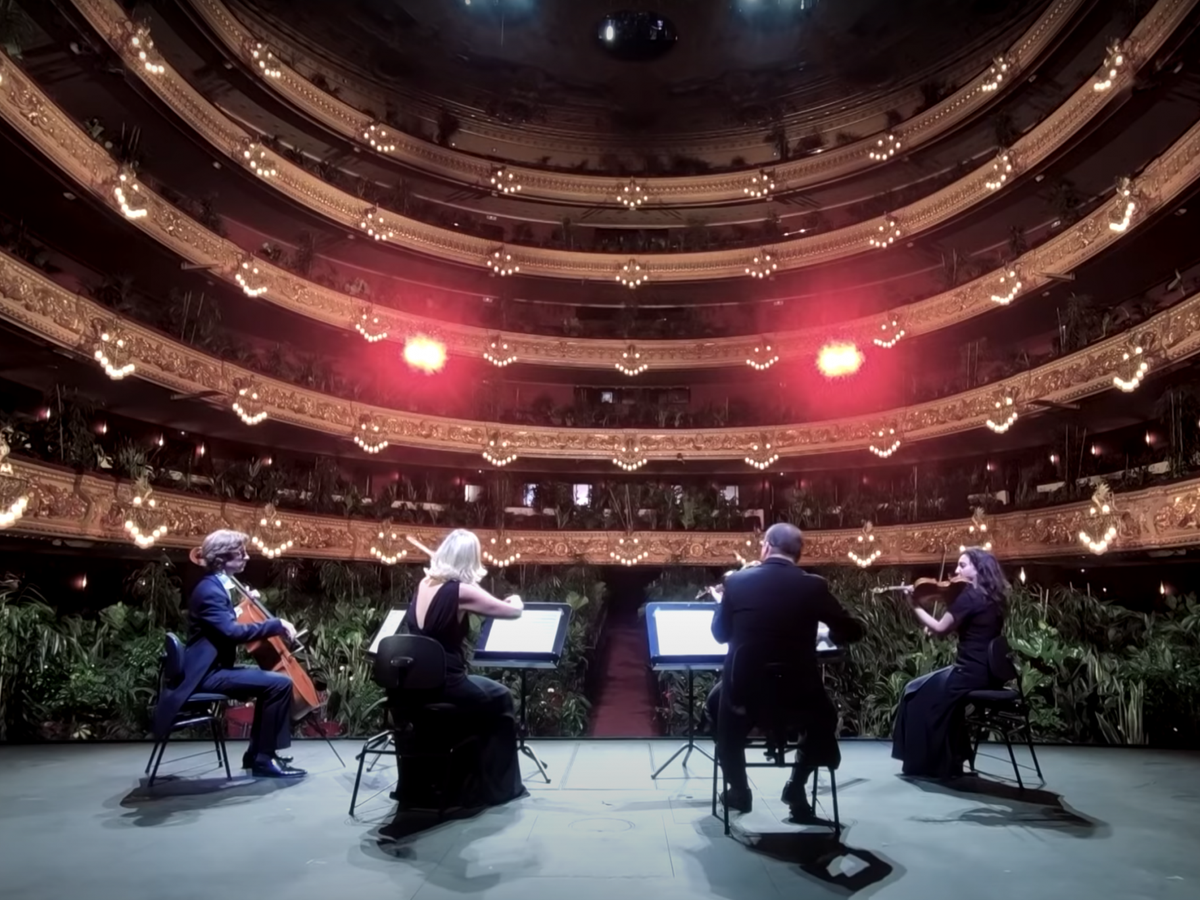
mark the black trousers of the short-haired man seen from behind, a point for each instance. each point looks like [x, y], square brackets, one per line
[817, 722]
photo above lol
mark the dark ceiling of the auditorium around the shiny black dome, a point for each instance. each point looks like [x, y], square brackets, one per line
[731, 58]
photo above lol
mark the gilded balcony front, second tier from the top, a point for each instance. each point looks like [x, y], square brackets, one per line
[110, 20]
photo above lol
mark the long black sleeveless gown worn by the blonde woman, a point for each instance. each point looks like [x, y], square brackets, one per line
[487, 709]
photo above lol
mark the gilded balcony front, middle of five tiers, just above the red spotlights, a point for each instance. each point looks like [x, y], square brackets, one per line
[64, 143]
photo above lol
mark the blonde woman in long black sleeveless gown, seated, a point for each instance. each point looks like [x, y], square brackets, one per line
[449, 591]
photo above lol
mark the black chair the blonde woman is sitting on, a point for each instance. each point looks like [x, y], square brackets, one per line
[412, 670]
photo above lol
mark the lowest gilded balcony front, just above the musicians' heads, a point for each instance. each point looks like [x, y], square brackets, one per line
[65, 505]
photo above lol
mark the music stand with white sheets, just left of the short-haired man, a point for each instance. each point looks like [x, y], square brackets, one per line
[682, 640]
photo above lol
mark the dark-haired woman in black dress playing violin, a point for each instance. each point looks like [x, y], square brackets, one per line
[931, 735]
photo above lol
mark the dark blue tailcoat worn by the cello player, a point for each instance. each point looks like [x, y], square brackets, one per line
[213, 639]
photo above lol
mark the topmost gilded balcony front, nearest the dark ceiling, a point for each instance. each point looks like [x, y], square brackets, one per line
[839, 163]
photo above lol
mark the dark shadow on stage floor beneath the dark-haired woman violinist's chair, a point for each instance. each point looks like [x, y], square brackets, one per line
[1006, 806]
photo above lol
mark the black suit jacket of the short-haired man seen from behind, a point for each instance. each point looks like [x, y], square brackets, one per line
[778, 605]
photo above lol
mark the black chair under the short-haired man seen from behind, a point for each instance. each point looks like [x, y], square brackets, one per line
[779, 716]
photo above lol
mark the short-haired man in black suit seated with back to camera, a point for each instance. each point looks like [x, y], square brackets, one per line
[775, 609]
